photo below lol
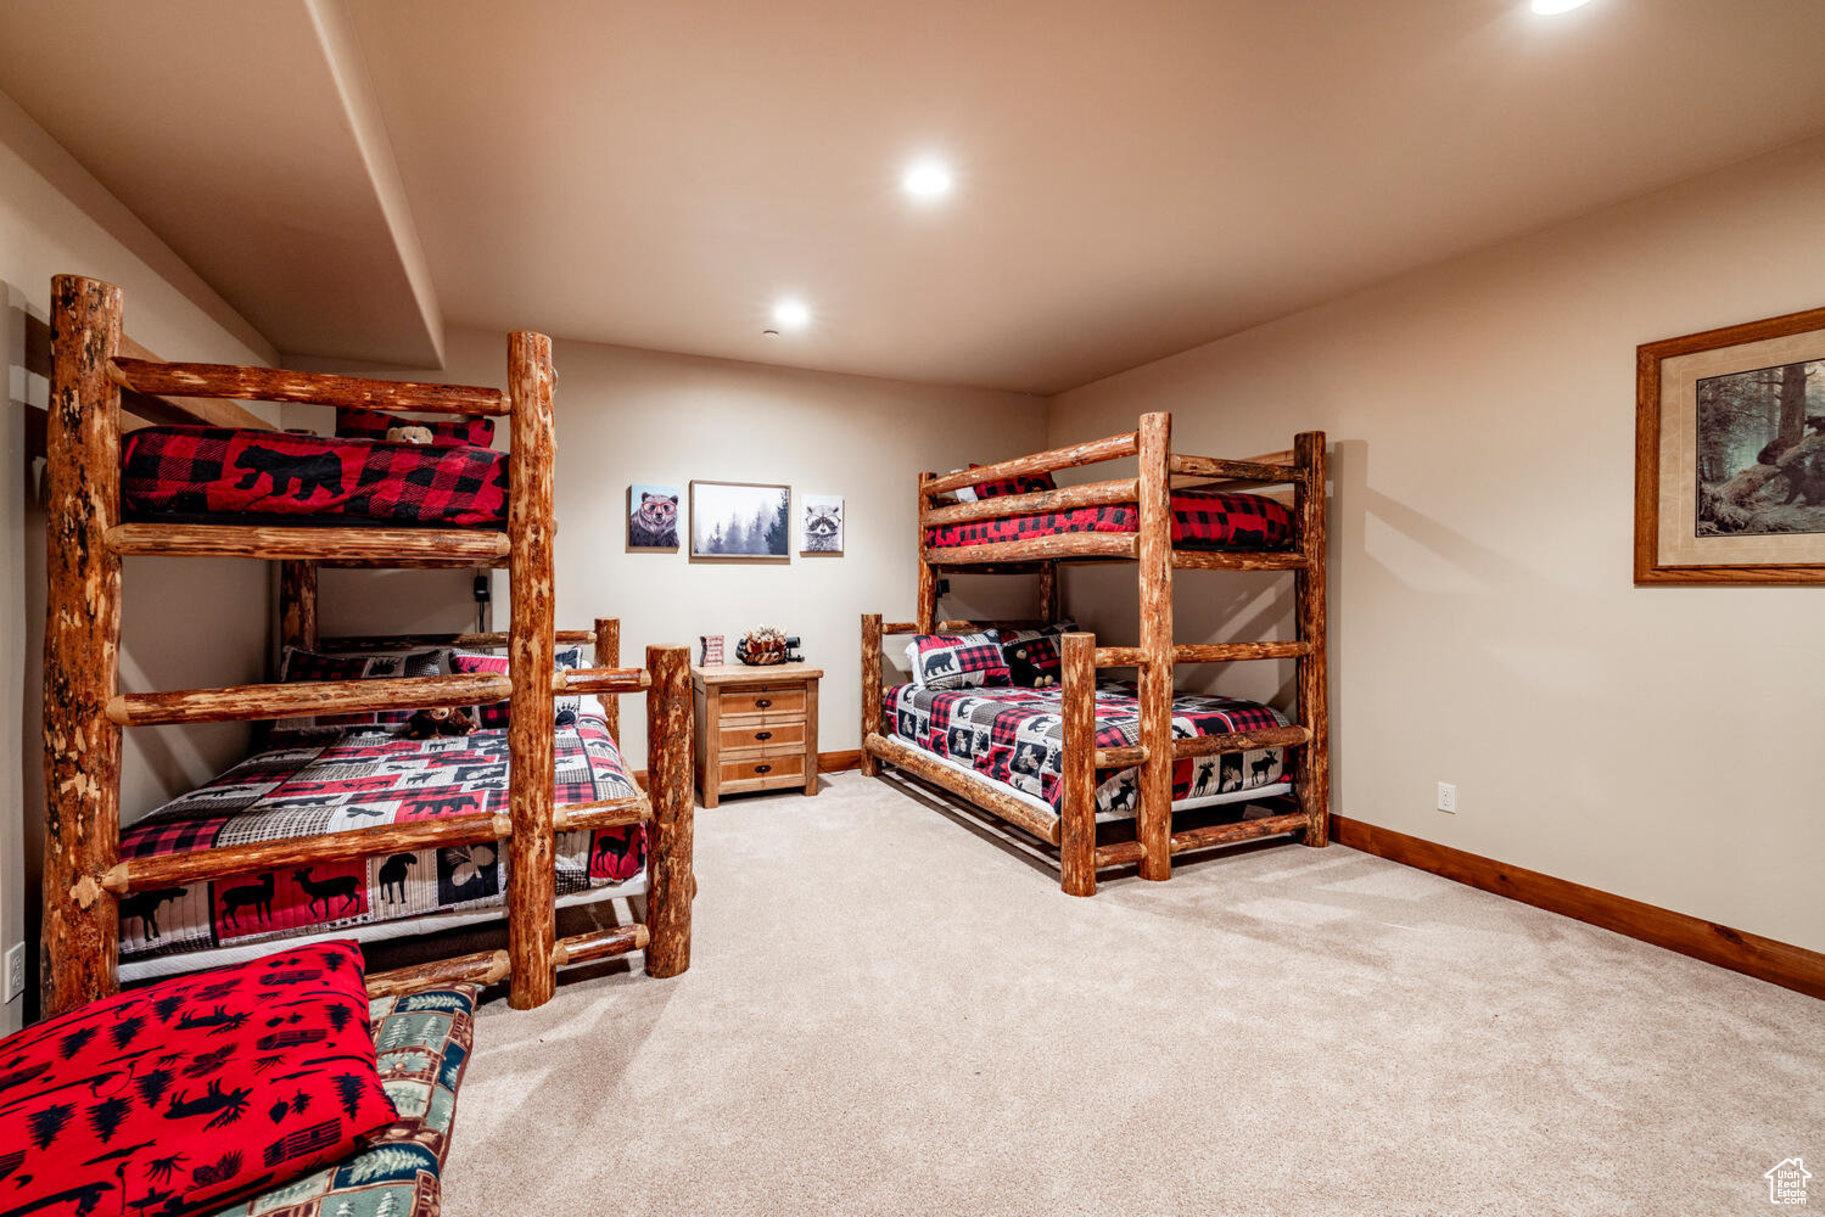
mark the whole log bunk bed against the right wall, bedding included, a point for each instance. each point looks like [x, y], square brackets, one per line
[1016, 525]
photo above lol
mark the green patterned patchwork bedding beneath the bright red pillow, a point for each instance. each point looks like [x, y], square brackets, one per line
[422, 1043]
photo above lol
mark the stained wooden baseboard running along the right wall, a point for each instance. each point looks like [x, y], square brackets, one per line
[1753, 955]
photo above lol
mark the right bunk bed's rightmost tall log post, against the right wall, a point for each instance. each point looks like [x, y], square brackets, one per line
[1311, 776]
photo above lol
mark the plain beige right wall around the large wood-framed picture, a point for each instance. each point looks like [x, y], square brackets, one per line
[1658, 744]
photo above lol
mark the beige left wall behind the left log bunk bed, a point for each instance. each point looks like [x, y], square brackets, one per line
[56, 220]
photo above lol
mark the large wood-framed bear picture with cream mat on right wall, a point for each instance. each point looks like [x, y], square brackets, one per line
[1731, 455]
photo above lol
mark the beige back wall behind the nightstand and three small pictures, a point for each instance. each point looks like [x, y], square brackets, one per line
[645, 417]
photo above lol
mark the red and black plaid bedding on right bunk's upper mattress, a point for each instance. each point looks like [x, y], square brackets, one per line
[1200, 521]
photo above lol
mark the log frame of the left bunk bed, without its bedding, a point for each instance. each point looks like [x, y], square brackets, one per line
[85, 711]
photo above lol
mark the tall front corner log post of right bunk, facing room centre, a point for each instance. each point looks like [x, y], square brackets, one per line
[1154, 804]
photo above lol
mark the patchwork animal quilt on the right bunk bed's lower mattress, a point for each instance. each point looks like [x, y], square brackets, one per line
[1016, 736]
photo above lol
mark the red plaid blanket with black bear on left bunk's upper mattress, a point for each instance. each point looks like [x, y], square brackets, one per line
[222, 472]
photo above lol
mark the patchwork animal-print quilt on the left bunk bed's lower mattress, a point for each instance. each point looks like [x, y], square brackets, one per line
[359, 782]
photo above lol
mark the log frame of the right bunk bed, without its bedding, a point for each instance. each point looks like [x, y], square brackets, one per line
[1074, 831]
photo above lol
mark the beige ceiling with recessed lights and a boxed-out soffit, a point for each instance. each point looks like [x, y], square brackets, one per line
[1132, 178]
